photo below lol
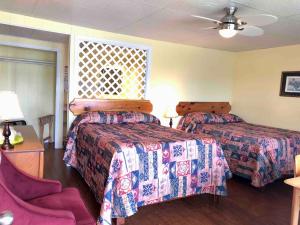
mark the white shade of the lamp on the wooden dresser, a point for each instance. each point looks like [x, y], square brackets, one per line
[9, 106]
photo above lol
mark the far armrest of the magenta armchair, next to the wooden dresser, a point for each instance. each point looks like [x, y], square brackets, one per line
[25, 186]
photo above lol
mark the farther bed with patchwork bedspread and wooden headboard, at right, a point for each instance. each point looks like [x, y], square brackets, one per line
[259, 153]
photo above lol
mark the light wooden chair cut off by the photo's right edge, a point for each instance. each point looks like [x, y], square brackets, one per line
[295, 183]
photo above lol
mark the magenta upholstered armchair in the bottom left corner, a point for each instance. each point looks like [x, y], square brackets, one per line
[38, 201]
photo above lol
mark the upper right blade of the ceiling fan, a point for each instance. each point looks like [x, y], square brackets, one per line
[259, 20]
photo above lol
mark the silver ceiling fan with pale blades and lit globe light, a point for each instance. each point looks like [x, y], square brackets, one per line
[230, 25]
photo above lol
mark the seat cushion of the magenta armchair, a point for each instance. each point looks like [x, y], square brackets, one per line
[69, 199]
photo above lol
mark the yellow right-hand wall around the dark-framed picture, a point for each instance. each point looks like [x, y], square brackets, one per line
[257, 84]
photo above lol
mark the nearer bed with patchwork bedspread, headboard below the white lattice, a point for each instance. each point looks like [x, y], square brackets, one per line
[129, 160]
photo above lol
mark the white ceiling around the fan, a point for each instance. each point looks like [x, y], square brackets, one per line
[169, 20]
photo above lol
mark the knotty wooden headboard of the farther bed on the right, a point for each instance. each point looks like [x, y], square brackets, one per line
[214, 107]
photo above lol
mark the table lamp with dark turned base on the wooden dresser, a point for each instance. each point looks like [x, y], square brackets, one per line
[9, 110]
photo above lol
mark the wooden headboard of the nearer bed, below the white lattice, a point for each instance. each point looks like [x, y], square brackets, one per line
[82, 105]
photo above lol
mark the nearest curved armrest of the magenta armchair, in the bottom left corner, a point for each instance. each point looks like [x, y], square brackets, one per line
[27, 214]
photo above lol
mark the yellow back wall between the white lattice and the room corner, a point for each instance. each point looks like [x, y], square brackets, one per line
[181, 73]
